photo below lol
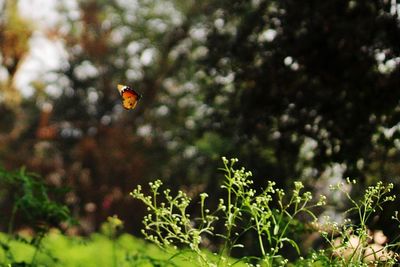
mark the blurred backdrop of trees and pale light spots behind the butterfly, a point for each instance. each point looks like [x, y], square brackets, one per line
[296, 90]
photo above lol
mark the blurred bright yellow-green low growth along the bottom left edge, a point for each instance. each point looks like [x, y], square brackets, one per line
[96, 250]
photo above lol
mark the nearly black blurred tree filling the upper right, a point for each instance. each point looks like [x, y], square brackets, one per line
[288, 71]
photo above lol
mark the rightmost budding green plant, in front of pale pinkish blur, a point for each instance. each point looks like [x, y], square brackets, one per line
[351, 243]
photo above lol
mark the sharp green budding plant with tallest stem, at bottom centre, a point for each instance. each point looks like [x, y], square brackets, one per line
[268, 214]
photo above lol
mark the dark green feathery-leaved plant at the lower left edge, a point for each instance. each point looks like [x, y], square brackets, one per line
[31, 203]
